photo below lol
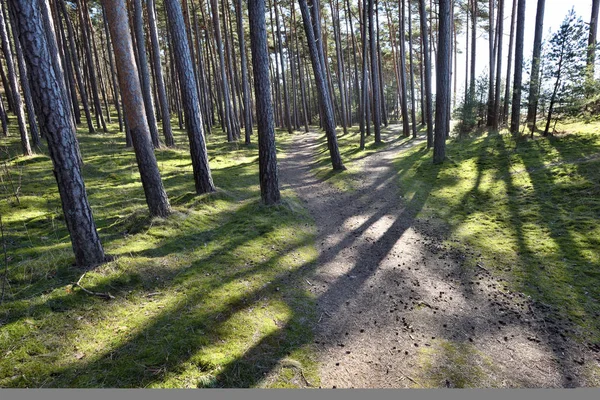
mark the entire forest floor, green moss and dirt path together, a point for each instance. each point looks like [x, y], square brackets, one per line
[479, 272]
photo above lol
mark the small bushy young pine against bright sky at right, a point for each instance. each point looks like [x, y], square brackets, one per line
[567, 58]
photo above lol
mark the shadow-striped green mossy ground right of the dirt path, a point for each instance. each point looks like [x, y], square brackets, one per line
[529, 210]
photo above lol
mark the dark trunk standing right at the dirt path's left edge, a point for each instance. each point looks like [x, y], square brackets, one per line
[267, 156]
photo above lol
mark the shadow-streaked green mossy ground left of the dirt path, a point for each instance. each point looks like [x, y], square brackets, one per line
[210, 296]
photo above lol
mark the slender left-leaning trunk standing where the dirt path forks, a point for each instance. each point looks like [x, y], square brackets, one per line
[322, 89]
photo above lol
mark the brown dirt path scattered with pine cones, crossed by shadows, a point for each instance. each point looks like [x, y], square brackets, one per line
[397, 309]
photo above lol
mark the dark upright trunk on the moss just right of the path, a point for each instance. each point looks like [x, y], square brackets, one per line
[443, 86]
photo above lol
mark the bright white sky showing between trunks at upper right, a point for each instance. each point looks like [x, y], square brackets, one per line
[555, 12]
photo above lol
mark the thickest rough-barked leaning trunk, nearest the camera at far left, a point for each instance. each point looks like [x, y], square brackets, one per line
[55, 124]
